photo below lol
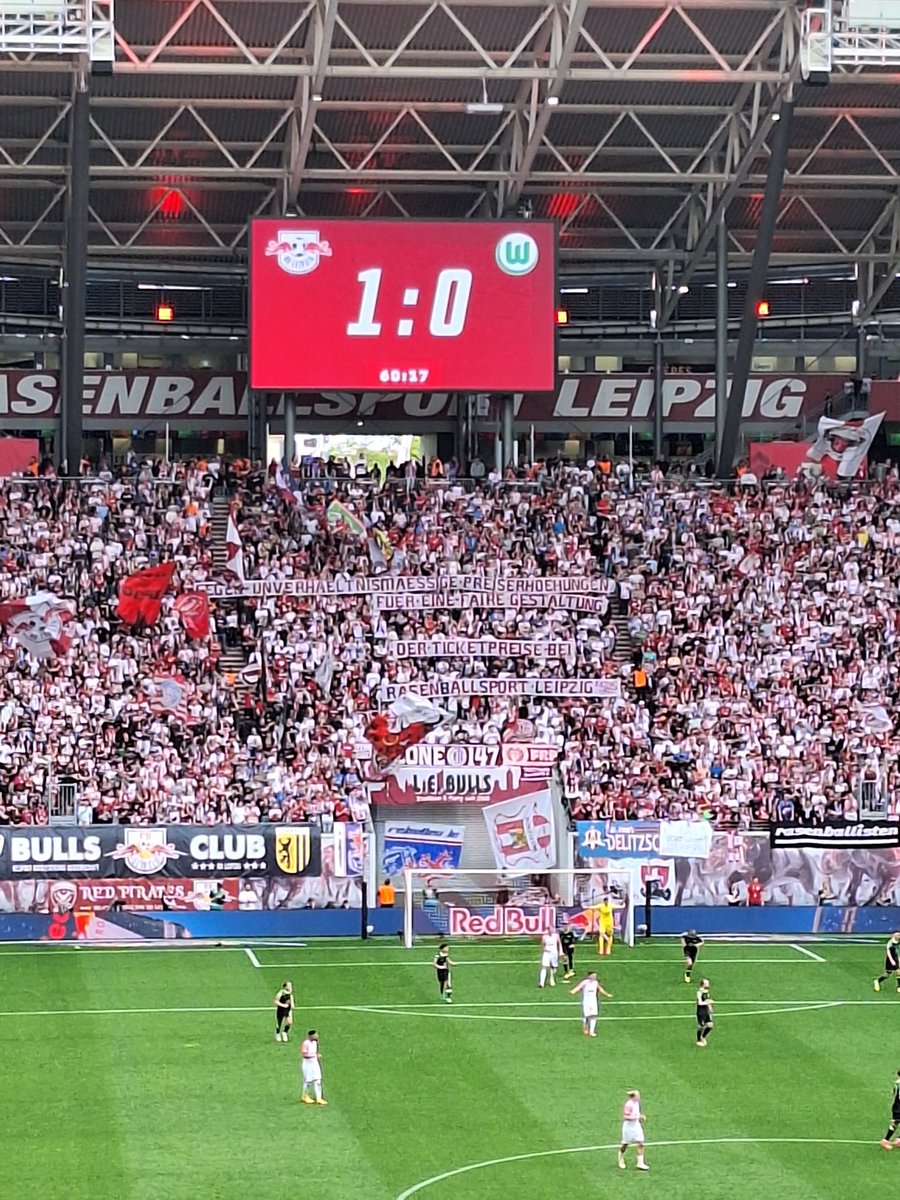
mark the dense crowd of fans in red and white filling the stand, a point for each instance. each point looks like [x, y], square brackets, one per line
[741, 607]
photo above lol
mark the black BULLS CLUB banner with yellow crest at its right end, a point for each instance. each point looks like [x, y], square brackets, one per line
[176, 851]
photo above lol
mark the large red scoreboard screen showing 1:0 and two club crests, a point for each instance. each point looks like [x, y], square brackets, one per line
[411, 305]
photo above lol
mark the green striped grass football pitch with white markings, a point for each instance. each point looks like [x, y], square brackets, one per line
[134, 1075]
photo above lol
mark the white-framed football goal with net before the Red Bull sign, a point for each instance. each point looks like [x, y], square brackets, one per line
[493, 904]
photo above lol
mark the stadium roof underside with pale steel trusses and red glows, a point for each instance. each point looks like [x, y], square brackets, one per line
[633, 124]
